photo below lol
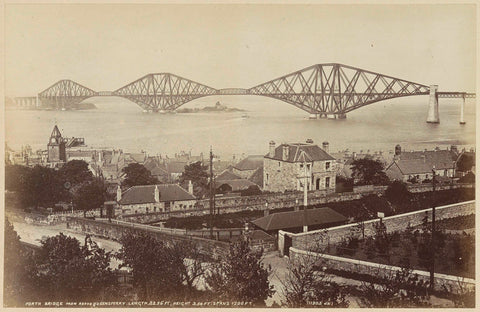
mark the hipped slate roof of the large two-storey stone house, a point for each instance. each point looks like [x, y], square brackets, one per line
[299, 152]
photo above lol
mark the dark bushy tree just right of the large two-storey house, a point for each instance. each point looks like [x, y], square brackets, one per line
[368, 171]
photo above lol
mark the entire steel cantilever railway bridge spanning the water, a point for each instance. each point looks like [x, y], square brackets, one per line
[323, 89]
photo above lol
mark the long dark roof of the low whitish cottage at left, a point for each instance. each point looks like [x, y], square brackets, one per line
[143, 194]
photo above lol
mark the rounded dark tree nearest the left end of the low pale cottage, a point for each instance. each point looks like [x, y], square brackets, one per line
[90, 196]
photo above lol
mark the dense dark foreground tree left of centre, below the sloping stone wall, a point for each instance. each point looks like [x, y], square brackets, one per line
[156, 267]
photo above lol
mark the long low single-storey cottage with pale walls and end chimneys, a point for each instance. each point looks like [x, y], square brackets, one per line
[155, 198]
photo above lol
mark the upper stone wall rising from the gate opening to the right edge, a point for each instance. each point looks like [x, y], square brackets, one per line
[333, 235]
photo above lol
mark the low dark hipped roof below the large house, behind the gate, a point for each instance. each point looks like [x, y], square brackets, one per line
[293, 219]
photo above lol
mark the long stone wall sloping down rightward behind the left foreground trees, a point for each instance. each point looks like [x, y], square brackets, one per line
[115, 231]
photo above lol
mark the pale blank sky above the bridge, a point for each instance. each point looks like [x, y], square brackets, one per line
[105, 47]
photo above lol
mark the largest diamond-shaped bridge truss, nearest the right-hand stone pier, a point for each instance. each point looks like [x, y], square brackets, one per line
[336, 89]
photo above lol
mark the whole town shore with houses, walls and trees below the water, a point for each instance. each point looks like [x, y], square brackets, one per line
[362, 217]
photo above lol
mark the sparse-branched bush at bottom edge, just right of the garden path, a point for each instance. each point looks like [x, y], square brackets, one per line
[304, 286]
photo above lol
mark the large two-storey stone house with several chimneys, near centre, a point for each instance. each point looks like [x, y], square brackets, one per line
[287, 166]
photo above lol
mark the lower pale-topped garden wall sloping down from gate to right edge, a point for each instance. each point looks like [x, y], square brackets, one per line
[453, 283]
